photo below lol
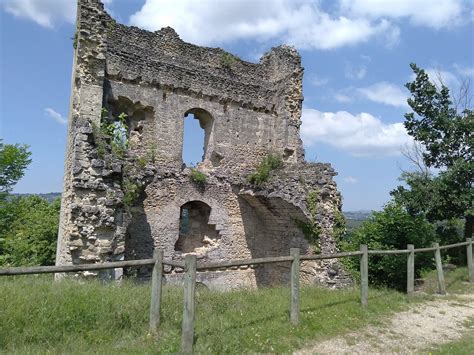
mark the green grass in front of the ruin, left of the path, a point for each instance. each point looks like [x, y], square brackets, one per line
[42, 316]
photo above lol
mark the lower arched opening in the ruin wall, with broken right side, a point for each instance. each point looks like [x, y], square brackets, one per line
[195, 232]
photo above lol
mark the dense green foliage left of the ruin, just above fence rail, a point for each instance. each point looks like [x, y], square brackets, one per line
[30, 233]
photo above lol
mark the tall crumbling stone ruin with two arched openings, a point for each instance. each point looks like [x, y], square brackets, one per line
[126, 189]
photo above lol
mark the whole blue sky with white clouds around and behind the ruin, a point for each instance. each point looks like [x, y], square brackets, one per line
[356, 56]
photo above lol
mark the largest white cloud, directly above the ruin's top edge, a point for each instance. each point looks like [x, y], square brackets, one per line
[302, 24]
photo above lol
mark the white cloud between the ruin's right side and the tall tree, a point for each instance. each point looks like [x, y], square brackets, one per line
[360, 135]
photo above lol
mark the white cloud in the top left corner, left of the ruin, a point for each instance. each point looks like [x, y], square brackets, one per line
[45, 13]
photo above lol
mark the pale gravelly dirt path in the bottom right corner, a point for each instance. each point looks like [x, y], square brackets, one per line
[431, 323]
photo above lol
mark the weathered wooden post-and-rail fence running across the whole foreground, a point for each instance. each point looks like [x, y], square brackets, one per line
[190, 267]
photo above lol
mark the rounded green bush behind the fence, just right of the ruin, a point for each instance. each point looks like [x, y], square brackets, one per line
[392, 228]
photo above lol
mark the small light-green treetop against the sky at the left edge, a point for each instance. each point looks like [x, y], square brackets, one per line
[14, 158]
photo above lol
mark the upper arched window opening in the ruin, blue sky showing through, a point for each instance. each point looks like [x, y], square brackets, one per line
[197, 135]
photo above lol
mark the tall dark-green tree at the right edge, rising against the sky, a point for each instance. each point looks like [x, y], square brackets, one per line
[446, 134]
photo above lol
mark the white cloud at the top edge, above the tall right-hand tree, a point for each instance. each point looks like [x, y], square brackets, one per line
[432, 13]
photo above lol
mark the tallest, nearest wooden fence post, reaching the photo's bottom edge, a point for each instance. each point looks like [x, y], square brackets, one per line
[187, 335]
